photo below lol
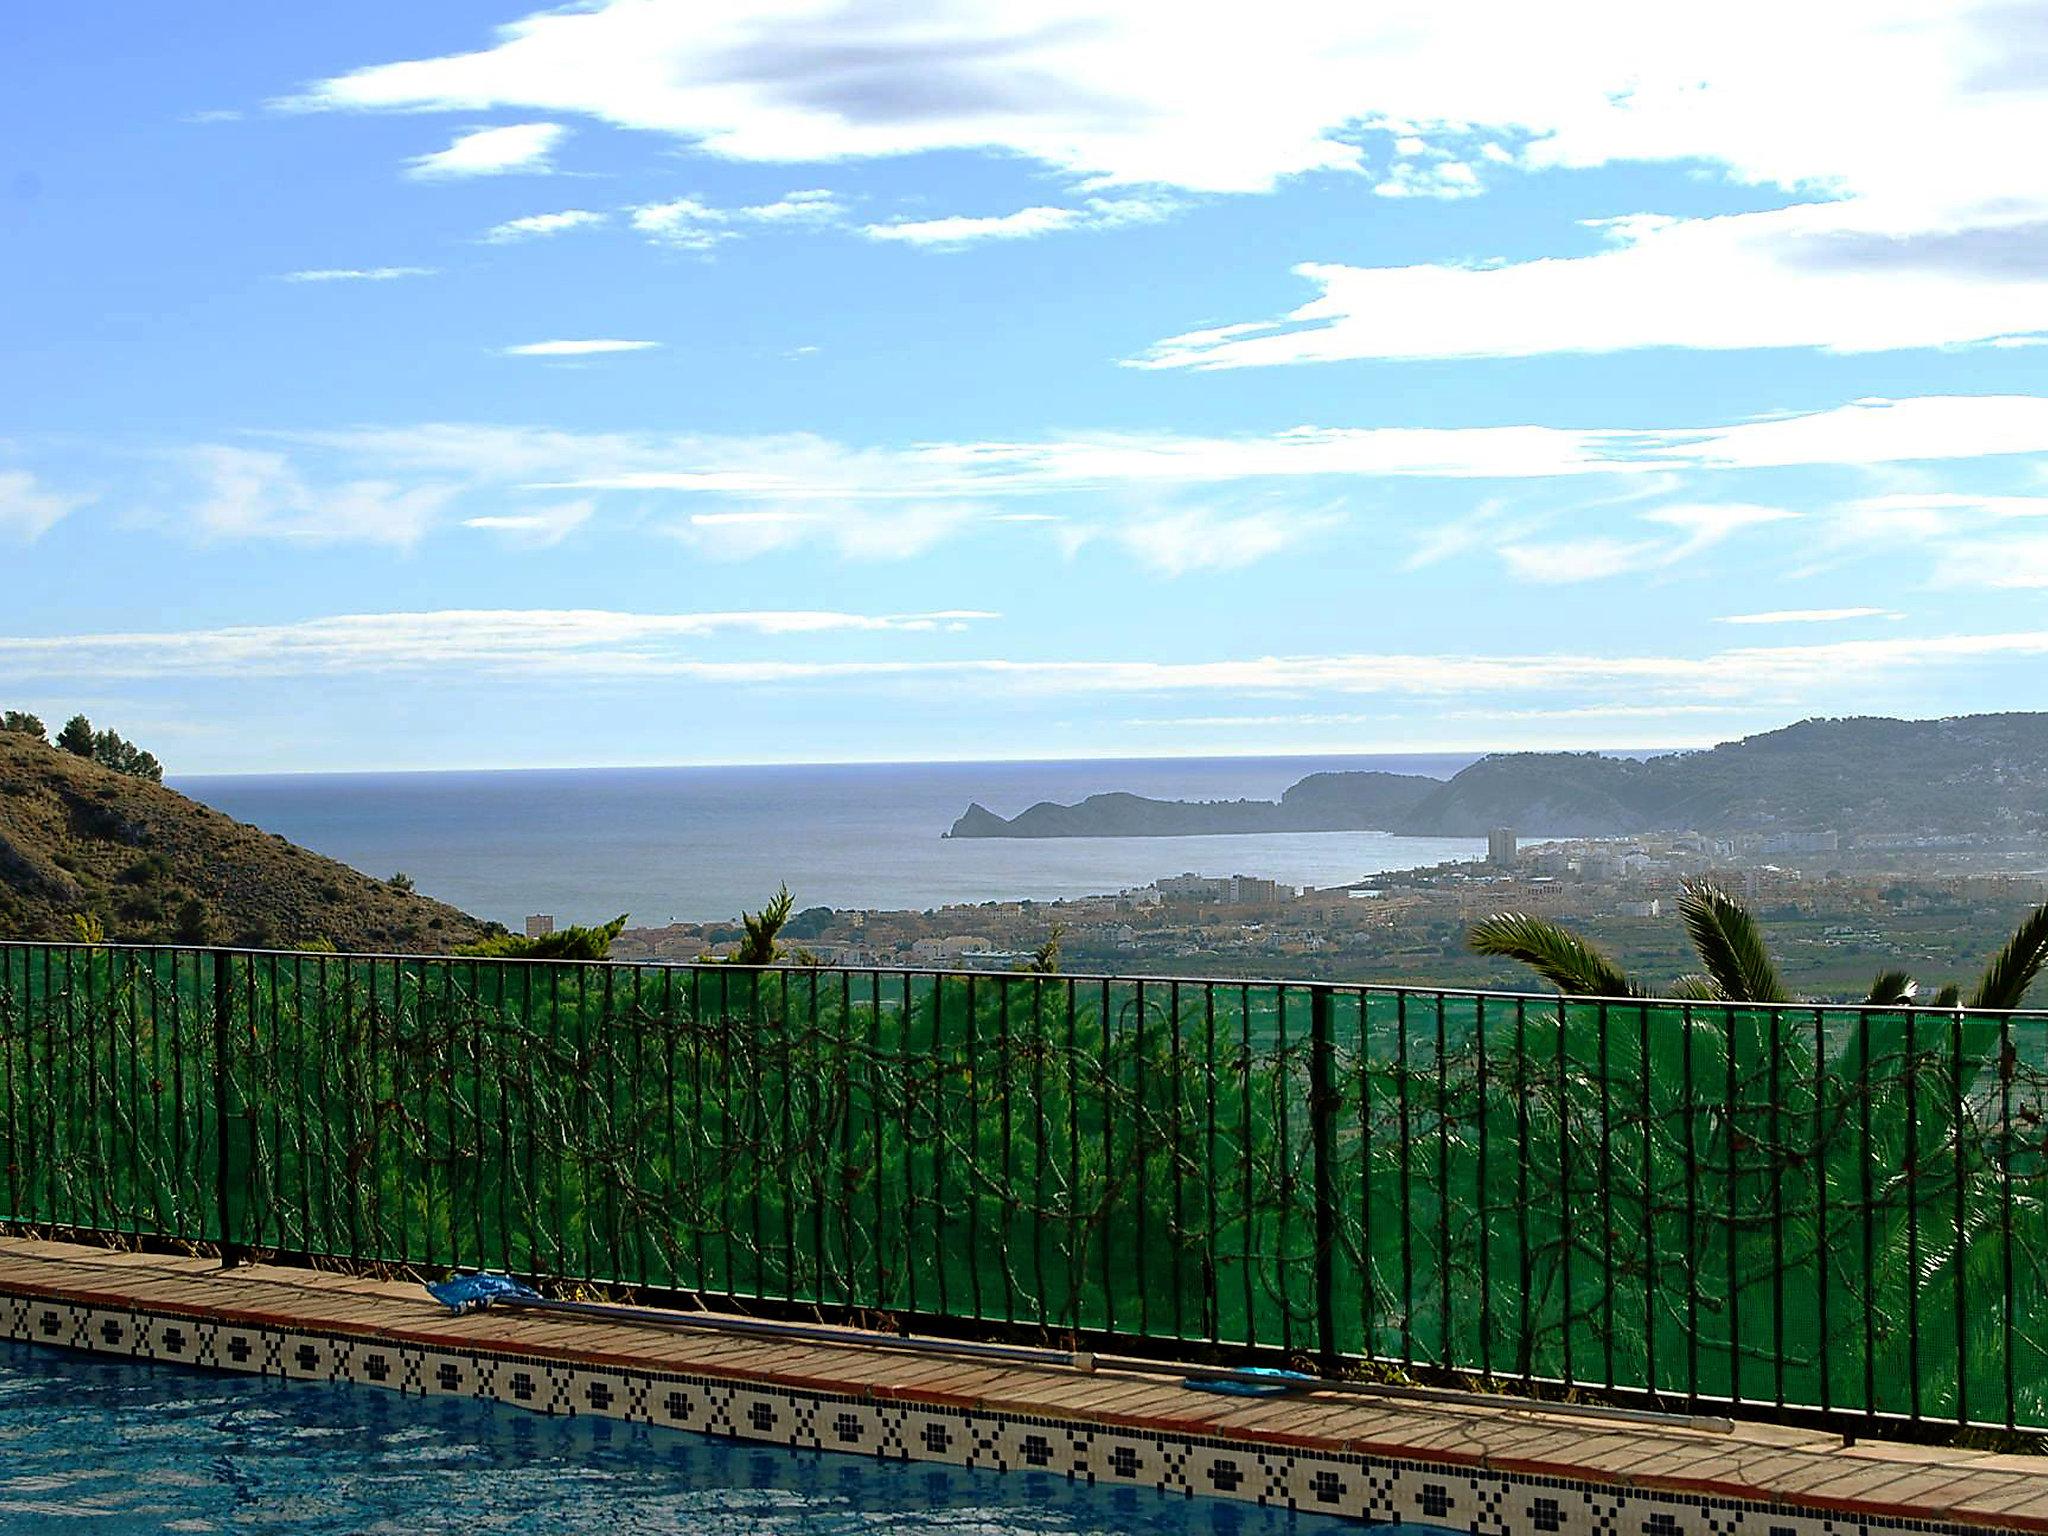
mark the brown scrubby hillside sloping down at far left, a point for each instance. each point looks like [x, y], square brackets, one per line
[153, 865]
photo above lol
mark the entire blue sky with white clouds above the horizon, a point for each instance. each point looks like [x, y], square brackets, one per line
[462, 386]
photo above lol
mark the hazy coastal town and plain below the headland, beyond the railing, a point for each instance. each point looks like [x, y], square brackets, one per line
[1840, 908]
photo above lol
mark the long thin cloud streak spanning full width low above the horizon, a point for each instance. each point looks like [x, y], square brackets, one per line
[597, 644]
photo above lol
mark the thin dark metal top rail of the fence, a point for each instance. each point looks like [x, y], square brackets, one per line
[1150, 980]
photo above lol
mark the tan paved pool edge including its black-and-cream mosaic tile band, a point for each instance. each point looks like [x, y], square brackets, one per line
[1461, 1465]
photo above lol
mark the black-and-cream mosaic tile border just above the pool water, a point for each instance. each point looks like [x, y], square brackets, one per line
[1351, 1486]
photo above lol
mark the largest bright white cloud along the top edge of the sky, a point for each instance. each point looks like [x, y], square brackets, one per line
[1879, 97]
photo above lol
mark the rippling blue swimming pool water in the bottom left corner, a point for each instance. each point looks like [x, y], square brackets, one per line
[110, 1449]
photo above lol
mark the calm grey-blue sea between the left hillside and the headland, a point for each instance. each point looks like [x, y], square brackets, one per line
[701, 845]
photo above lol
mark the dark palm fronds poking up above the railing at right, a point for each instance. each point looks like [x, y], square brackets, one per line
[1738, 966]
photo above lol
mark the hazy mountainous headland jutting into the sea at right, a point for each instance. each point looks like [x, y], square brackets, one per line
[1965, 775]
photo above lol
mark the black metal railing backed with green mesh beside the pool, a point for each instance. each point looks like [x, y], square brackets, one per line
[1781, 1209]
